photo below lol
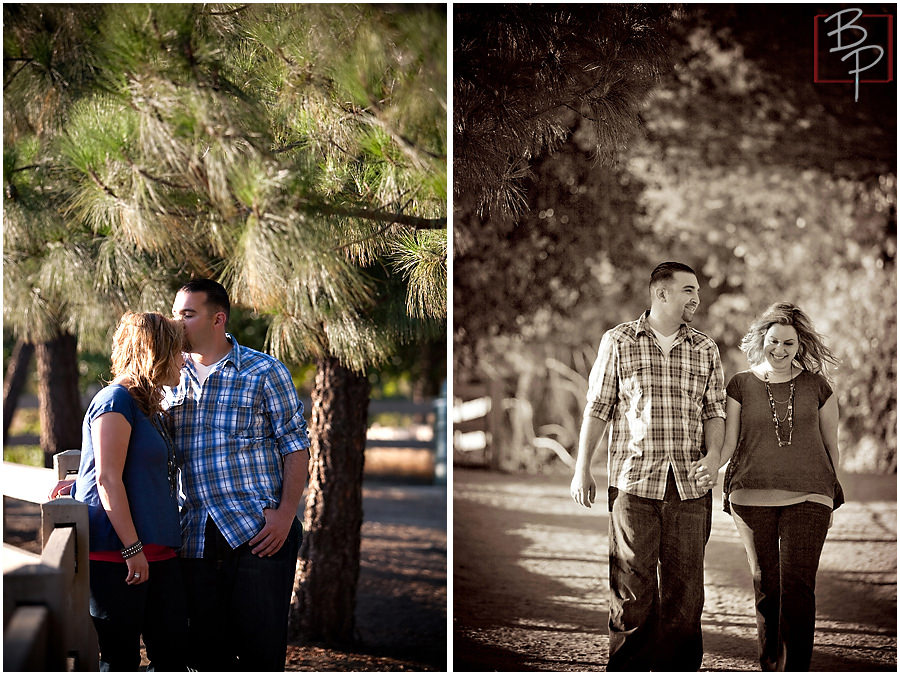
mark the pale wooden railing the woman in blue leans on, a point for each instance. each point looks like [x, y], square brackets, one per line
[46, 598]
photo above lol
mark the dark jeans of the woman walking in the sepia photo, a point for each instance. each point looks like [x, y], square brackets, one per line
[783, 545]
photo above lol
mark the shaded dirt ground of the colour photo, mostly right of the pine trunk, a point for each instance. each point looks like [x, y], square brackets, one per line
[401, 610]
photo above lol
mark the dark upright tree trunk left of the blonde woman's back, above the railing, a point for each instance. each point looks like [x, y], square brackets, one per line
[58, 395]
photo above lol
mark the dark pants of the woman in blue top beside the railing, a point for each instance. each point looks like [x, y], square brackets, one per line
[155, 609]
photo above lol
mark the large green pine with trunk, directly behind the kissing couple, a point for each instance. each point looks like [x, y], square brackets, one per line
[294, 152]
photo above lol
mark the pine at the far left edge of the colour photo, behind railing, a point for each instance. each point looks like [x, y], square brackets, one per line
[43, 77]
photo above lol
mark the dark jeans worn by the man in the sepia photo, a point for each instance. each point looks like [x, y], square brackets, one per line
[656, 578]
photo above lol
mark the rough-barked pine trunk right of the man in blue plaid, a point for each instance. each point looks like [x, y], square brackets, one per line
[328, 567]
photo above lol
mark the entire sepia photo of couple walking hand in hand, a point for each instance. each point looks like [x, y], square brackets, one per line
[674, 337]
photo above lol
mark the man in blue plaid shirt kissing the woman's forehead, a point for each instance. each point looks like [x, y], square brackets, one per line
[243, 451]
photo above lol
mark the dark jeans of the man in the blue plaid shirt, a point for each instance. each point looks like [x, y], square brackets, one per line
[238, 604]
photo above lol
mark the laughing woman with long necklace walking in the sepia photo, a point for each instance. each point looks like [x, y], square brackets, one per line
[781, 485]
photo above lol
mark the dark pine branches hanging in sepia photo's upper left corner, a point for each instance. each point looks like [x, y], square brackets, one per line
[523, 73]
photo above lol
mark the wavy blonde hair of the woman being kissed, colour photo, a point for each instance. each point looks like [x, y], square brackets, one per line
[146, 346]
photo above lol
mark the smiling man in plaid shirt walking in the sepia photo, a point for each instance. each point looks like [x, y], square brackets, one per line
[658, 387]
